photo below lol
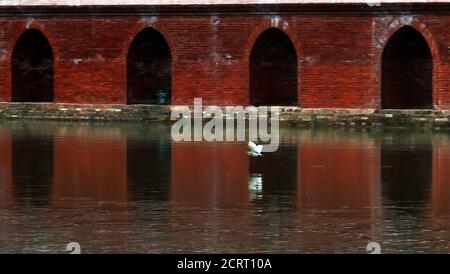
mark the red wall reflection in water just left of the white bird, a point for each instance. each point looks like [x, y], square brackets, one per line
[210, 174]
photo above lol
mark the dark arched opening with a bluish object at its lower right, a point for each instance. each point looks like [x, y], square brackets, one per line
[149, 68]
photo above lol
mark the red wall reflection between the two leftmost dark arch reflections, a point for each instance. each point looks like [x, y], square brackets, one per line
[90, 162]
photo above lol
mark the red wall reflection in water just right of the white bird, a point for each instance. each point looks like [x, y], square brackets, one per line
[337, 170]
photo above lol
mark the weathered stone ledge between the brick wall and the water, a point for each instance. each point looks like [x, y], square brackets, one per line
[436, 119]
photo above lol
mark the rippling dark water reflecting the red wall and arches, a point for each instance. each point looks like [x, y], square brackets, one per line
[128, 188]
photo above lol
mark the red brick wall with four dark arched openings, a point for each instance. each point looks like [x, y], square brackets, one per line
[339, 54]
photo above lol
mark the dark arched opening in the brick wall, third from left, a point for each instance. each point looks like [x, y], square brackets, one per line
[273, 70]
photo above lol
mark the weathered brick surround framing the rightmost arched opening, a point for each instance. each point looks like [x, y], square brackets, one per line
[393, 27]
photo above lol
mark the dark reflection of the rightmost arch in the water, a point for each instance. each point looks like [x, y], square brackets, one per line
[406, 179]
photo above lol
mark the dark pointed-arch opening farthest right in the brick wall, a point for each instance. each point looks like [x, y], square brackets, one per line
[407, 71]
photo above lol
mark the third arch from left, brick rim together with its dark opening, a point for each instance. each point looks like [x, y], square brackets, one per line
[283, 89]
